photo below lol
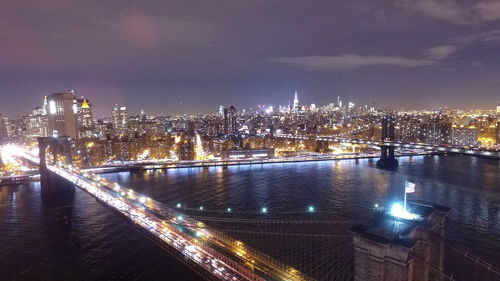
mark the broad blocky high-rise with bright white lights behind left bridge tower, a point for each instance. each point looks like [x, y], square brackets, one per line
[61, 109]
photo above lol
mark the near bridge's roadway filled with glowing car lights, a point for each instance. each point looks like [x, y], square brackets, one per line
[217, 254]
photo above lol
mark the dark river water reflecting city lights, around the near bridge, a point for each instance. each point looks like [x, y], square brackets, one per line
[98, 245]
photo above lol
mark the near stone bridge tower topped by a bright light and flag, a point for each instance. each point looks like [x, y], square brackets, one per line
[393, 249]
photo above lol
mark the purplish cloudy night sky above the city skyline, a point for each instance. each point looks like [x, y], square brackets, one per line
[190, 56]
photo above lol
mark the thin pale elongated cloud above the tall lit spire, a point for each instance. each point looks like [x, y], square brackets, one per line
[350, 61]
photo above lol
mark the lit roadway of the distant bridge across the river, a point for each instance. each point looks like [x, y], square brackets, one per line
[484, 152]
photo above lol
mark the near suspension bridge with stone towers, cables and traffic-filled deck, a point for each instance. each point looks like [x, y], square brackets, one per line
[238, 246]
